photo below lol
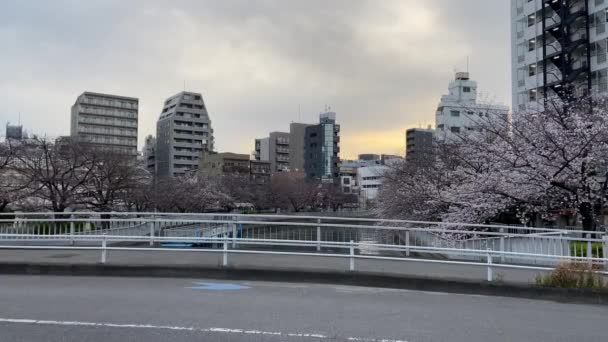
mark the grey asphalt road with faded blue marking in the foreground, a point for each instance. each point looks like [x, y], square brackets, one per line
[52, 309]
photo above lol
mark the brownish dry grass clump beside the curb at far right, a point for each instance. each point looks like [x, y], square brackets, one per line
[573, 275]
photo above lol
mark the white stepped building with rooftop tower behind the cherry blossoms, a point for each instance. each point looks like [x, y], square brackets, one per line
[458, 111]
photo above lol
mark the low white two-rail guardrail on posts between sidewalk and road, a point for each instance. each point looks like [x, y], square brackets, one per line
[350, 250]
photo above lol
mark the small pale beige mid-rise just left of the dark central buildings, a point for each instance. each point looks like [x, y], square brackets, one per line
[274, 149]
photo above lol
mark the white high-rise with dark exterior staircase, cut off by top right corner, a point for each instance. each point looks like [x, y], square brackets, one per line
[558, 49]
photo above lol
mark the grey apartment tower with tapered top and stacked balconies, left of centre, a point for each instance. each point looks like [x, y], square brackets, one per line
[183, 131]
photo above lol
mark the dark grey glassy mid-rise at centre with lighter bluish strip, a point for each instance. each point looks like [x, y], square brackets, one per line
[322, 149]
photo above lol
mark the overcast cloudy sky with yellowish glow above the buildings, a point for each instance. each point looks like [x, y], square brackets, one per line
[381, 65]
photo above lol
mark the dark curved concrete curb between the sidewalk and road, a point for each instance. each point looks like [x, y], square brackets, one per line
[317, 277]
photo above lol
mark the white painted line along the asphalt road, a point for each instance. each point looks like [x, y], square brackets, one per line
[193, 329]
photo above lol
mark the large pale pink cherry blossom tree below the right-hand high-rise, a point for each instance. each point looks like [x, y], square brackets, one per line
[535, 165]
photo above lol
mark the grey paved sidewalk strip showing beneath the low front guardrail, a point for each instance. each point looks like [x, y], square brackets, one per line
[259, 261]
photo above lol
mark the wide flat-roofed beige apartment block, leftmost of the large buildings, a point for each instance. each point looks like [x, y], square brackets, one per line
[106, 121]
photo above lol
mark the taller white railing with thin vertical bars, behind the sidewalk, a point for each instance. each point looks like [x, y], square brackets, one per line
[547, 245]
